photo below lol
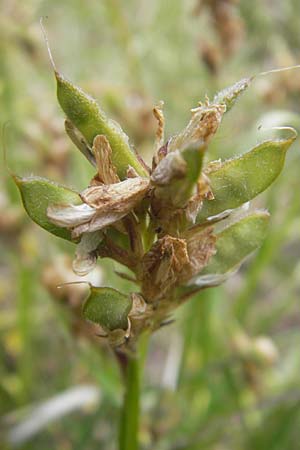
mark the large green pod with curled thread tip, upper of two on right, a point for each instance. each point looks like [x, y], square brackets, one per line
[238, 180]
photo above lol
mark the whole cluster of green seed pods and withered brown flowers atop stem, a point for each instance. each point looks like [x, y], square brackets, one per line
[177, 227]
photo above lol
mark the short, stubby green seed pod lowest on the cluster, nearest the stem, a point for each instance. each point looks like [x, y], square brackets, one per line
[108, 308]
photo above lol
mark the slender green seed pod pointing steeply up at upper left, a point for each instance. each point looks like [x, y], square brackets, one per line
[85, 114]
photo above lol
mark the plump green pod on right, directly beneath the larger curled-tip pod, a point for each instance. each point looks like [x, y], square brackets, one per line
[237, 241]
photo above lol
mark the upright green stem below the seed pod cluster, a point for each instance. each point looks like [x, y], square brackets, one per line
[128, 437]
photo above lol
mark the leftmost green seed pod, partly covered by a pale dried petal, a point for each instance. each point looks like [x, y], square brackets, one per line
[38, 193]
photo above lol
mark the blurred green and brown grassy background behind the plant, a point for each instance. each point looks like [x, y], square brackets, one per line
[225, 375]
